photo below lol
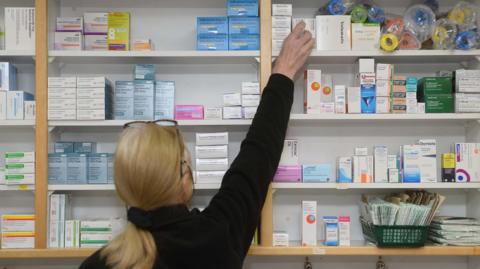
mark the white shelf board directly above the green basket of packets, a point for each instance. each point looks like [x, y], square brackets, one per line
[376, 186]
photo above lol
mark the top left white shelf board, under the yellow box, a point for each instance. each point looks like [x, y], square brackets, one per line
[179, 56]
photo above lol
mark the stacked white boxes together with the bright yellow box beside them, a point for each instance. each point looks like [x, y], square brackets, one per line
[90, 32]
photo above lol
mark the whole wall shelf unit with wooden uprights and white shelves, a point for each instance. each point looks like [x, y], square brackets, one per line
[67, 63]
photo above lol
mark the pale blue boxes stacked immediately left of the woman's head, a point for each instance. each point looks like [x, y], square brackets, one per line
[79, 163]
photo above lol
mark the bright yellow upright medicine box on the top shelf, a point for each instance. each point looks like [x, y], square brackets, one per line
[118, 31]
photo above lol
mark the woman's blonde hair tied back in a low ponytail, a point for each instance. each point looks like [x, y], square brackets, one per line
[147, 176]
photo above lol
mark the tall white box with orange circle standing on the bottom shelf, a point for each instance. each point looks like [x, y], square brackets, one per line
[309, 223]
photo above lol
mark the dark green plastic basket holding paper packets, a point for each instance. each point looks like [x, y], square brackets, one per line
[396, 236]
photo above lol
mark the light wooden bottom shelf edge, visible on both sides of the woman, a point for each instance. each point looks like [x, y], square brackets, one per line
[267, 251]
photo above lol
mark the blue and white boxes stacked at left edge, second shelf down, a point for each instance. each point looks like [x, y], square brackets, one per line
[14, 105]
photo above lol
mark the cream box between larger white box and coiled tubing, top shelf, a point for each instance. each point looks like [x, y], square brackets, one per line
[365, 36]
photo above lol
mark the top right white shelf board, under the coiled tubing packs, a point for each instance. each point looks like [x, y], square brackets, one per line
[405, 56]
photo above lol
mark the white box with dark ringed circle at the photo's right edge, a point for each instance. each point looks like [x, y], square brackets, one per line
[468, 162]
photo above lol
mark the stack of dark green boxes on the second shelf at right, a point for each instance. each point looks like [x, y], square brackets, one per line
[437, 93]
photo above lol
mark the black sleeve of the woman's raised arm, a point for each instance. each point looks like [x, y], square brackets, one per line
[240, 199]
